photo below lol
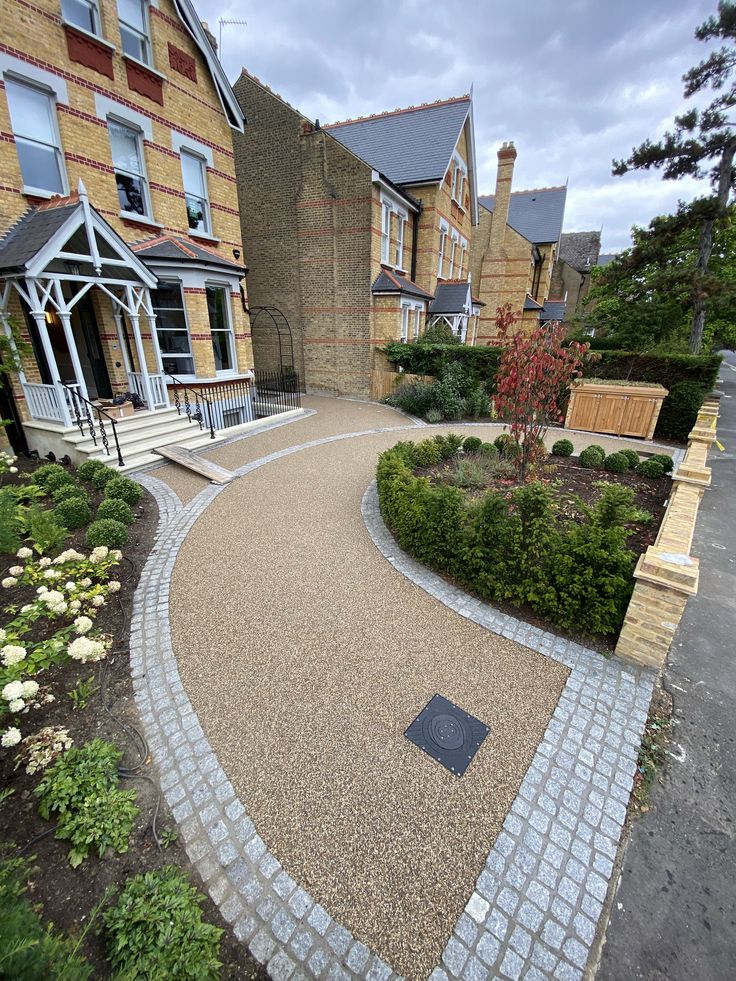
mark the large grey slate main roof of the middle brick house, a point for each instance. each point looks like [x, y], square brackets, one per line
[409, 146]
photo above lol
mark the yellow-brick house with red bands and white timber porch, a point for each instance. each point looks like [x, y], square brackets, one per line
[120, 239]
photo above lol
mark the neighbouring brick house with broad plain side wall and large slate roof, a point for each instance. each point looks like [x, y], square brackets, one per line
[357, 232]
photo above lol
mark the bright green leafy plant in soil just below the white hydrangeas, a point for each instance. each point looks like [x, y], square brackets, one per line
[81, 791]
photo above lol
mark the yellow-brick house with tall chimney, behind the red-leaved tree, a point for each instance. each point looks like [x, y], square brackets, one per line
[514, 249]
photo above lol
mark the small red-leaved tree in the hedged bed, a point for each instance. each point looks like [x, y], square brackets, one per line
[533, 376]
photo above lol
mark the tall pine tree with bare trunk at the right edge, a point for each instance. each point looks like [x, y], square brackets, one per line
[702, 144]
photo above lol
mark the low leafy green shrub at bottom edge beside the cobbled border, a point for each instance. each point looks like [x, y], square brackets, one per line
[156, 930]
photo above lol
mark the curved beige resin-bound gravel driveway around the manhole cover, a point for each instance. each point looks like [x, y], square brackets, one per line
[305, 656]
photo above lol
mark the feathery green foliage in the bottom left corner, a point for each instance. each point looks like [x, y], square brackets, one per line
[30, 949]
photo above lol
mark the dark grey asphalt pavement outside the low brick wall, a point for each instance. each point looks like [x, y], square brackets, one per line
[674, 914]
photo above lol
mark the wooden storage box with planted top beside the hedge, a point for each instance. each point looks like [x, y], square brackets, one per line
[620, 408]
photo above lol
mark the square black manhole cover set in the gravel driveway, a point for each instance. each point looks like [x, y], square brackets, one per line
[447, 734]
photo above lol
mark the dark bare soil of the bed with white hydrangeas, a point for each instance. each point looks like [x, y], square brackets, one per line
[68, 895]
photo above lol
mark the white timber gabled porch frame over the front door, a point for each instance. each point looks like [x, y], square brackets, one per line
[42, 289]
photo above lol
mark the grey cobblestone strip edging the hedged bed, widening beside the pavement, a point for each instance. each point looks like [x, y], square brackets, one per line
[535, 907]
